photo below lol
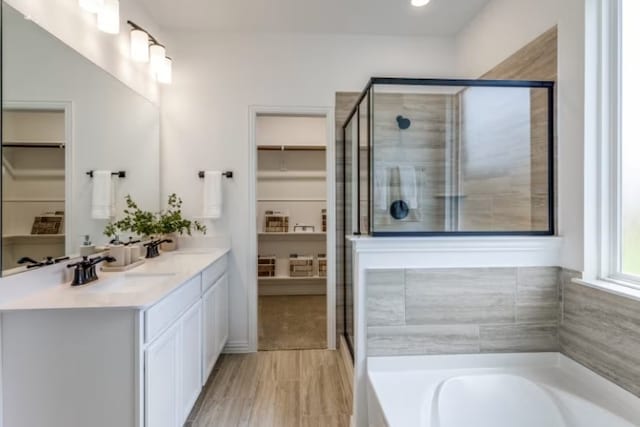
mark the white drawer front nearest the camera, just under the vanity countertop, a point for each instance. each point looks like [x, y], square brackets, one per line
[167, 311]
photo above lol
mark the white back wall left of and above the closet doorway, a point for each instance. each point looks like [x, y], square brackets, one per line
[205, 112]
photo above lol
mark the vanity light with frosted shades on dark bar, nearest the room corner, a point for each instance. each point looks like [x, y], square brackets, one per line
[146, 48]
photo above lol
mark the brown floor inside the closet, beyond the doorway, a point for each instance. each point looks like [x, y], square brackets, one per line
[292, 322]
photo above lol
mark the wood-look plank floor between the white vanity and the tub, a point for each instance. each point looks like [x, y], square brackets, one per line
[302, 388]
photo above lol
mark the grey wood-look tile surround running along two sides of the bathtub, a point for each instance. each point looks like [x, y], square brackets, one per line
[490, 310]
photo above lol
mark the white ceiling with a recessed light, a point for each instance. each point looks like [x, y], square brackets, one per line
[380, 17]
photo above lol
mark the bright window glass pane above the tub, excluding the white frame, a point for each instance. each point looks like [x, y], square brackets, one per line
[627, 253]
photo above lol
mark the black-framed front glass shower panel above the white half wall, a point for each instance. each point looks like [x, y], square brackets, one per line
[465, 157]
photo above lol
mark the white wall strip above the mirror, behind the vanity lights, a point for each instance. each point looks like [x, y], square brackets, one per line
[65, 20]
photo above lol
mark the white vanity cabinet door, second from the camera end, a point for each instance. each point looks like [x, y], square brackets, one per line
[191, 359]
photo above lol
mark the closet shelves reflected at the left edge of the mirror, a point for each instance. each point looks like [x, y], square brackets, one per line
[33, 190]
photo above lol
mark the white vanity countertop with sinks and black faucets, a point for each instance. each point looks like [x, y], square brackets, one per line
[138, 288]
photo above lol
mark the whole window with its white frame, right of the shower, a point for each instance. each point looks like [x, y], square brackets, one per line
[612, 144]
